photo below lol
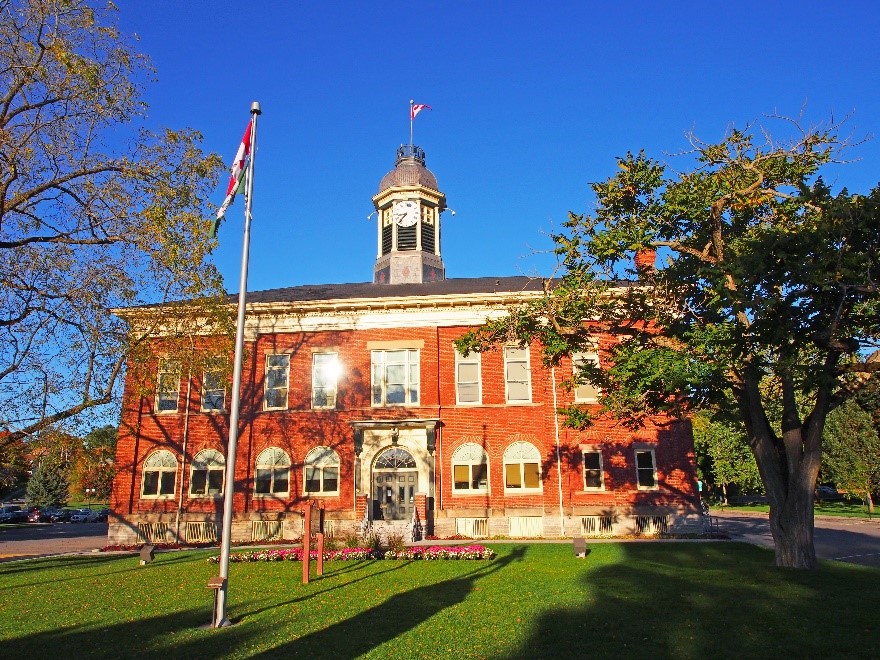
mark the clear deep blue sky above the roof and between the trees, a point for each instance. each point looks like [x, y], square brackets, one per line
[531, 102]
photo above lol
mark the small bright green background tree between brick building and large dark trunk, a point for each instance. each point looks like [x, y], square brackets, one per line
[726, 447]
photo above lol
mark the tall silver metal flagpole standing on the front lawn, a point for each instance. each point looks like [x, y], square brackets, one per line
[220, 618]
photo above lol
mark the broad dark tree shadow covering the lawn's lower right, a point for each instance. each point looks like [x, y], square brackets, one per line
[661, 601]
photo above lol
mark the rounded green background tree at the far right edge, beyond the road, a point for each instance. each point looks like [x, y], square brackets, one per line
[851, 455]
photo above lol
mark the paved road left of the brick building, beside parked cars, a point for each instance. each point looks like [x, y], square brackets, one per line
[37, 539]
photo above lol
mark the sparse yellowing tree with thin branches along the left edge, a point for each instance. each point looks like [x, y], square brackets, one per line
[95, 213]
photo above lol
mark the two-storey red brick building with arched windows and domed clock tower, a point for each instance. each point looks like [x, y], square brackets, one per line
[354, 395]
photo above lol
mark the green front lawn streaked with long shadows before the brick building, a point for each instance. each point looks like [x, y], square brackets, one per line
[682, 600]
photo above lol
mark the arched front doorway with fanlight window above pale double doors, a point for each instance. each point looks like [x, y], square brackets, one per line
[395, 484]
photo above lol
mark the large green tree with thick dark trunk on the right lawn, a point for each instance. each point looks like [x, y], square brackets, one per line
[767, 281]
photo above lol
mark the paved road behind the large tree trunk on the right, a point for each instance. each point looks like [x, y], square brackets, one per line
[855, 540]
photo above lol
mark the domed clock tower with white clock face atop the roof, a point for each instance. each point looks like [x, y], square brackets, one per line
[408, 206]
